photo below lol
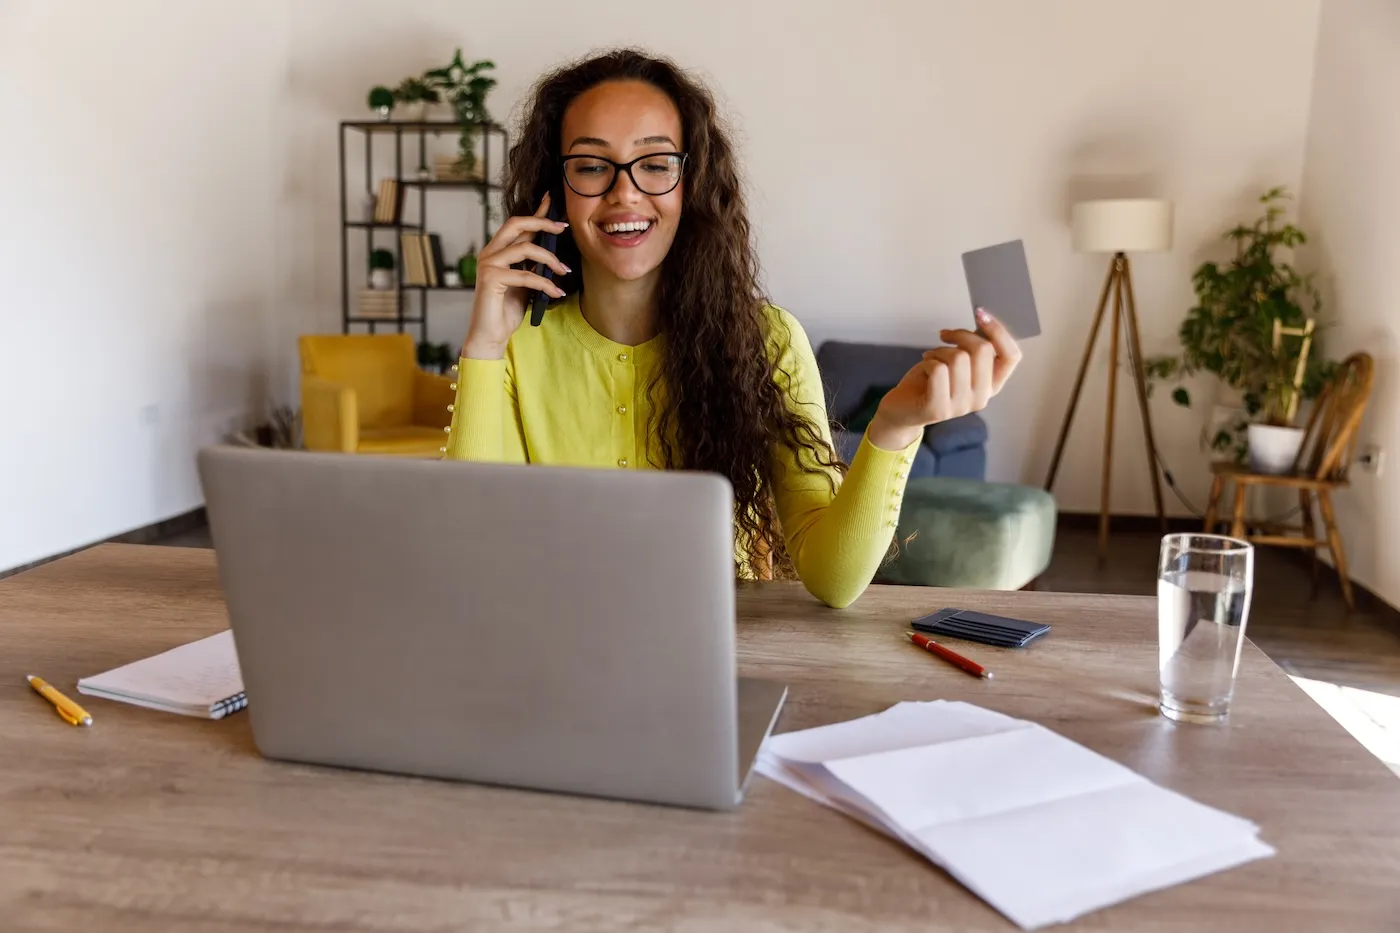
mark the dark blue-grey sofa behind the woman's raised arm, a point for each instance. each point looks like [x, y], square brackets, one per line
[849, 371]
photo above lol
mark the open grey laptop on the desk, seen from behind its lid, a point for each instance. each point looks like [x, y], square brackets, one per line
[561, 630]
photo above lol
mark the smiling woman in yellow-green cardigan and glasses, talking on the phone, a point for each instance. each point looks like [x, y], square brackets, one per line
[660, 350]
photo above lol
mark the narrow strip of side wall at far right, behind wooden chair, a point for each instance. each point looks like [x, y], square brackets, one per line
[1352, 188]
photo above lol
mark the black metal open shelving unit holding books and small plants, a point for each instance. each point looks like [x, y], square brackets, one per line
[421, 131]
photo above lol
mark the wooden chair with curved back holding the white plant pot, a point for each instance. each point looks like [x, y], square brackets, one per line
[1329, 442]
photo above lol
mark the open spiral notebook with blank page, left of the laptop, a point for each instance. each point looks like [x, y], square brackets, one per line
[201, 679]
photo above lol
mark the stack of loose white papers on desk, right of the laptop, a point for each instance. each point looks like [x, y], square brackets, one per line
[1039, 827]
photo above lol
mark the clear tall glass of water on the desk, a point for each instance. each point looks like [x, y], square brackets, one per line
[1203, 590]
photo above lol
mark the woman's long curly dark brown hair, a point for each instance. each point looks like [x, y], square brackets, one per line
[723, 410]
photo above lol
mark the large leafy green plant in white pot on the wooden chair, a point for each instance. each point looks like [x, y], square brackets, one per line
[1252, 329]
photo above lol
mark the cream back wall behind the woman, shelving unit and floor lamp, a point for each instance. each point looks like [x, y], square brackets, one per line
[883, 141]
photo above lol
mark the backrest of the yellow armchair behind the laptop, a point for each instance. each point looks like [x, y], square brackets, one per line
[377, 366]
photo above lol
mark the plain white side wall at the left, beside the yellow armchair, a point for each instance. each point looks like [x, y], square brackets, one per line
[139, 181]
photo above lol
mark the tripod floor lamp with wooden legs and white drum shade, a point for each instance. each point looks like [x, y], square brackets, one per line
[1118, 228]
